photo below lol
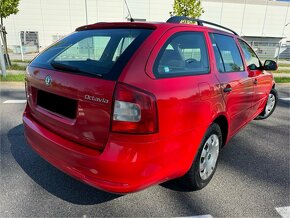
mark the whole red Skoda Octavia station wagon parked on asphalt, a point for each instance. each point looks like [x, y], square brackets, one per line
[123, 106]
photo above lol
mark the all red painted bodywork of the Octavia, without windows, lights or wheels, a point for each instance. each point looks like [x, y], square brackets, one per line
[86, 149]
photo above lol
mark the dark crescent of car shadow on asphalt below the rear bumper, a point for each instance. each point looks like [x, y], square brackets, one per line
[50, 178]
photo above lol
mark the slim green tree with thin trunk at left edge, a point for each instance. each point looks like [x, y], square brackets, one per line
[7, 7]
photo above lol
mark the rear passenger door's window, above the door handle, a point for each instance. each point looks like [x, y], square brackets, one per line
[228, 57]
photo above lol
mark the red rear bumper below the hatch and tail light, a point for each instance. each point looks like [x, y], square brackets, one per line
[122, 167]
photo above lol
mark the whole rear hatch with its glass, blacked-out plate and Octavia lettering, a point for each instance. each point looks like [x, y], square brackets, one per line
[70, 86]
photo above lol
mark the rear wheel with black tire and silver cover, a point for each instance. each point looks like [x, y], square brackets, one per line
[196, 178]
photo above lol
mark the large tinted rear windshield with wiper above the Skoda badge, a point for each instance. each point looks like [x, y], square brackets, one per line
[97, 53]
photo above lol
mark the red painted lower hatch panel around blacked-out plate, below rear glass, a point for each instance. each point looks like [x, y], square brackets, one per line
[92, 123]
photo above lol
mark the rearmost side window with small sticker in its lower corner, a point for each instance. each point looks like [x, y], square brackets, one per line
[184, 53]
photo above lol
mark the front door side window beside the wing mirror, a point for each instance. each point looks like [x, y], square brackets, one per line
[252, 60]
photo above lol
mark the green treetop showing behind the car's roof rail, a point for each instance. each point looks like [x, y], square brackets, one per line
[188, 8]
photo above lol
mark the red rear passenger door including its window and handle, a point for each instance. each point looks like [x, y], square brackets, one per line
[236, 85]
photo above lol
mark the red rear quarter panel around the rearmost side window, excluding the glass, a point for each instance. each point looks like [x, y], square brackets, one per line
[187, 105]
